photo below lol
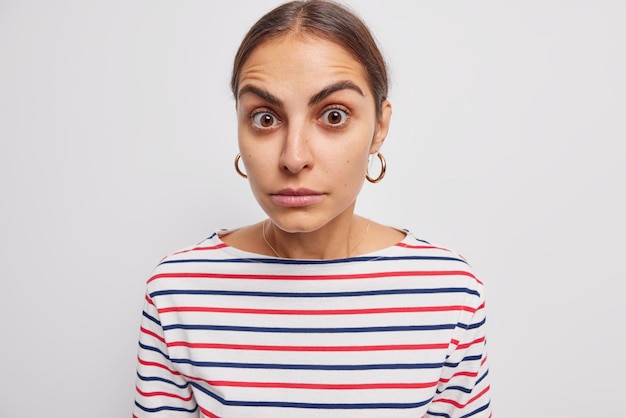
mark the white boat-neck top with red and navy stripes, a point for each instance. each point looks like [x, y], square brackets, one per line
[396, 333]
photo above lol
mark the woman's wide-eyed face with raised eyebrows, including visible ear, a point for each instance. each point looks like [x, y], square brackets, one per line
[307, 124]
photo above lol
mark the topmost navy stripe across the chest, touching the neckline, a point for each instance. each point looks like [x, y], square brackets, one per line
[291, 261]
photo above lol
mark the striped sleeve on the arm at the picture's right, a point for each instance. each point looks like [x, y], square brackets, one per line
[463, 389]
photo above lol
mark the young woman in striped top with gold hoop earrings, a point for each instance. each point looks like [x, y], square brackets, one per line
[315, 311]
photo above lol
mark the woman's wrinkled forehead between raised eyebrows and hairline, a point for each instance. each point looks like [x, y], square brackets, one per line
[302, 63]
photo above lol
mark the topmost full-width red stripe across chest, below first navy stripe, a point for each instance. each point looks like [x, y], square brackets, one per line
[183, 275]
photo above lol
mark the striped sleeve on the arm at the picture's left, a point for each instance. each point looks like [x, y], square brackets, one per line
[160, 390]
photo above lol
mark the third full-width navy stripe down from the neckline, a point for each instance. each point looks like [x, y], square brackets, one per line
[310, 330]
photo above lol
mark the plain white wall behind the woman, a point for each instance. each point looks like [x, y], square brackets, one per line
[117, 139]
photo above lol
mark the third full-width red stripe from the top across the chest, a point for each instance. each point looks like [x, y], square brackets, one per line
[436, 346]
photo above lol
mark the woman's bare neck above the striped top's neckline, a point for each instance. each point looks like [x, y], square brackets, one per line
[334, 240]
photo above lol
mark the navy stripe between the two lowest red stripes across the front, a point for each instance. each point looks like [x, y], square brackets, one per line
[335, 367]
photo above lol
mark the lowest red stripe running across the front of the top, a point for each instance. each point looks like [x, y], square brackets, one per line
[322, 386]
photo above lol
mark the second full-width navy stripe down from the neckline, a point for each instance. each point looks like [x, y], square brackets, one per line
[383, 292]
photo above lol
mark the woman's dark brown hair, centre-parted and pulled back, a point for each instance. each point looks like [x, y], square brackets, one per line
[325, 19]
